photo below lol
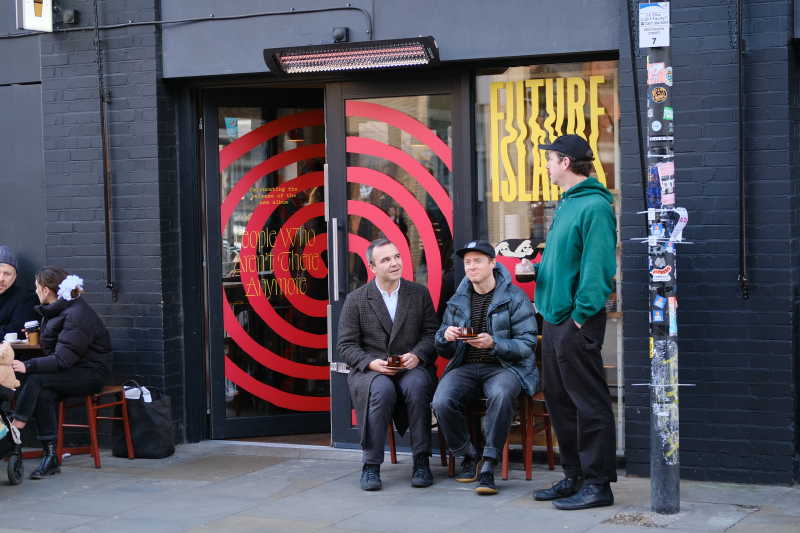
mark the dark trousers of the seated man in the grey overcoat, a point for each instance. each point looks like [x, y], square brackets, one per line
[416, 388]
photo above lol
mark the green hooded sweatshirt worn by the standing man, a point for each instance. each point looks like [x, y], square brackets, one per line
[579, 261]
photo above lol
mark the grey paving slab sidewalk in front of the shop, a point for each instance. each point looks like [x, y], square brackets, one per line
[243, 487]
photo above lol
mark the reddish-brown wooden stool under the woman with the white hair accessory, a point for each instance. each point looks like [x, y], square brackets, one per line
[93, 404]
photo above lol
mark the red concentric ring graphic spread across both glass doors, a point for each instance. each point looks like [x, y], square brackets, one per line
[311, 248]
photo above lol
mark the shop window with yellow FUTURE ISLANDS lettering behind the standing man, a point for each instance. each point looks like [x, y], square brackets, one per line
[516, 109]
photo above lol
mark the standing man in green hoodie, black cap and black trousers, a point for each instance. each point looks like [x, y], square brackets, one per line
[573, 283]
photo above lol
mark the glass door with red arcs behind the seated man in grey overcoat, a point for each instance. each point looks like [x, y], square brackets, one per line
[391, 174]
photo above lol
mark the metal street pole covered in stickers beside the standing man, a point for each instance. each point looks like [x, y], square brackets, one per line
[666, 224]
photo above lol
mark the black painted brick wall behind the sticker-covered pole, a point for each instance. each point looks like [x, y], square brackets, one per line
[739, 422]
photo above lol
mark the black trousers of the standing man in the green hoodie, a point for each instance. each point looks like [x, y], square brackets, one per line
[577, 397]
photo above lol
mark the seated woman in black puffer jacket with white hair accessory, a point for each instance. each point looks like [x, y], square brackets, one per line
[77, 350]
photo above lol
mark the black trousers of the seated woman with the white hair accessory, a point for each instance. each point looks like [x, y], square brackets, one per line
[40, 394]
